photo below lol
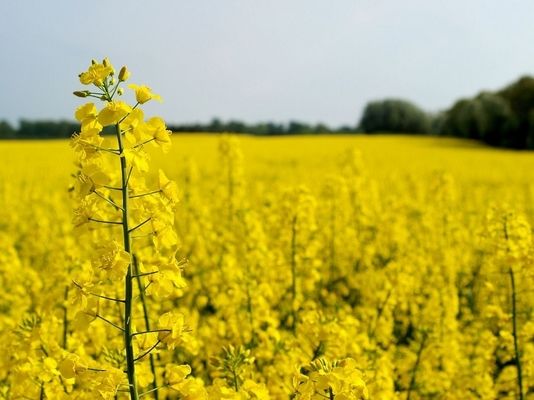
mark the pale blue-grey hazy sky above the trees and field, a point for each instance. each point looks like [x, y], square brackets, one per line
[271, 60]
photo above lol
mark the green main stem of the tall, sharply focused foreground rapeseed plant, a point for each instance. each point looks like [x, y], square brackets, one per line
[128, 287]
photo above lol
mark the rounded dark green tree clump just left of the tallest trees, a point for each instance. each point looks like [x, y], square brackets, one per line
[394, 115]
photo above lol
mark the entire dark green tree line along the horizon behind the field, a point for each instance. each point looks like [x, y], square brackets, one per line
[503, 118]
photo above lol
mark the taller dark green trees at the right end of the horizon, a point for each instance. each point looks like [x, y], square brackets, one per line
[504, 118]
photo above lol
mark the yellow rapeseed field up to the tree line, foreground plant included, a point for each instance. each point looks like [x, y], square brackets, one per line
[319, 267]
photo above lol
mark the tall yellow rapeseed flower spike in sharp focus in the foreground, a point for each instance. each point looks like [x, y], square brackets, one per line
[113, 194]
